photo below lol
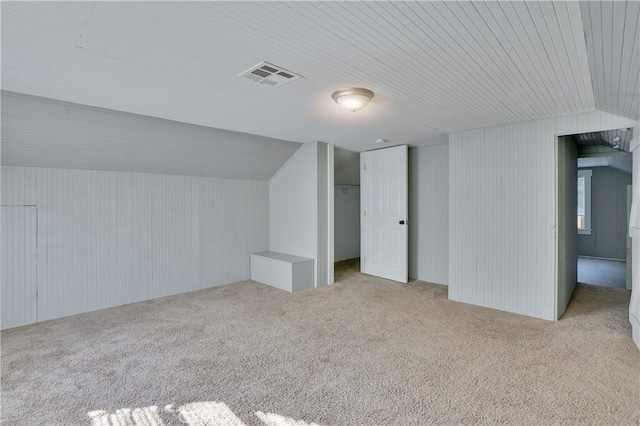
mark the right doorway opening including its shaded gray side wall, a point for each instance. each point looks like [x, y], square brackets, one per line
[595, 175]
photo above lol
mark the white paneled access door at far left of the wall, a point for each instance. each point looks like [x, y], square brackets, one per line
[18, 290]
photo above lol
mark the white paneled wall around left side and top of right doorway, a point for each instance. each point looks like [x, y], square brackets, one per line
[502, 204]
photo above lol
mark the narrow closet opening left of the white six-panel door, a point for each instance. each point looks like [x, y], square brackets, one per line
[346, 212]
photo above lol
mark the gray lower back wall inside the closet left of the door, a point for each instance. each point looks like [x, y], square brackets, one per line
[347, 222]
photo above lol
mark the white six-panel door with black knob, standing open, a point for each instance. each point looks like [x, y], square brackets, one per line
[384, 236]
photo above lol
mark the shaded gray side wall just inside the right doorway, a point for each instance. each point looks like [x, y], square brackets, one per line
[567, 235]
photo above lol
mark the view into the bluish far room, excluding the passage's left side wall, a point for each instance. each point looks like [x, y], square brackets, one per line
[605, 168]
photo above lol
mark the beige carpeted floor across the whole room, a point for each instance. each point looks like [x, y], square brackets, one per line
[364, 351]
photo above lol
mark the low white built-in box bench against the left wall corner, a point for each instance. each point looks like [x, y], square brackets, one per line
[283, 271]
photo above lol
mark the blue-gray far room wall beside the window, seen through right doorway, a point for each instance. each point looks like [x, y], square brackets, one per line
[608, 237]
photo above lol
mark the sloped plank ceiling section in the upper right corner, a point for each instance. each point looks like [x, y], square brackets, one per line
[612, 32]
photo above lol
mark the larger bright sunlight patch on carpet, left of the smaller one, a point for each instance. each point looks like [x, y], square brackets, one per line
[205, 413]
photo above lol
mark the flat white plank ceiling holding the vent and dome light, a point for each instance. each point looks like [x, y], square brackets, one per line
[436, 67]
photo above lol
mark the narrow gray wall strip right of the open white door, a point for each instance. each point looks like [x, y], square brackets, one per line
[429, 213]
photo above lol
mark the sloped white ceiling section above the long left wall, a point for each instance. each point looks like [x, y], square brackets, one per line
[43, 132]
